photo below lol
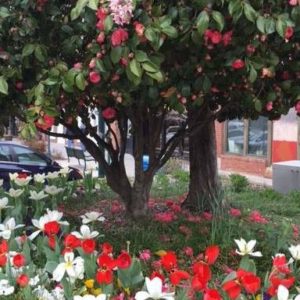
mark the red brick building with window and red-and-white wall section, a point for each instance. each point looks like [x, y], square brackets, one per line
[251, 147]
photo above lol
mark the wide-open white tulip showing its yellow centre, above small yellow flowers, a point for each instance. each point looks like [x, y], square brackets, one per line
[73, 267]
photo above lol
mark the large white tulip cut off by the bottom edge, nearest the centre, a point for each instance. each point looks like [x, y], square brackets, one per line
[154, 291]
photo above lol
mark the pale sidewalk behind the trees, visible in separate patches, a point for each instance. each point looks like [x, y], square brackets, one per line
[59, 149]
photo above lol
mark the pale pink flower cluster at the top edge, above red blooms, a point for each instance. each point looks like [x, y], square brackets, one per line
[121, 11]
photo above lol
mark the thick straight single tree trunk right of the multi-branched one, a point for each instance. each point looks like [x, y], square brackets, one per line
[203, 187]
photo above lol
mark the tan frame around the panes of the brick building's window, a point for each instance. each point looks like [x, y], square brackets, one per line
[246, 141]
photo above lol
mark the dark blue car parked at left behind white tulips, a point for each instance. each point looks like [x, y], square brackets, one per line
[16, 158]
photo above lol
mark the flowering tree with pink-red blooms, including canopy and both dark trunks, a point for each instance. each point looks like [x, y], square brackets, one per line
[135, 60]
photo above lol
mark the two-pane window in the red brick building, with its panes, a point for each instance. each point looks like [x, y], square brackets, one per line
[247, 137]
